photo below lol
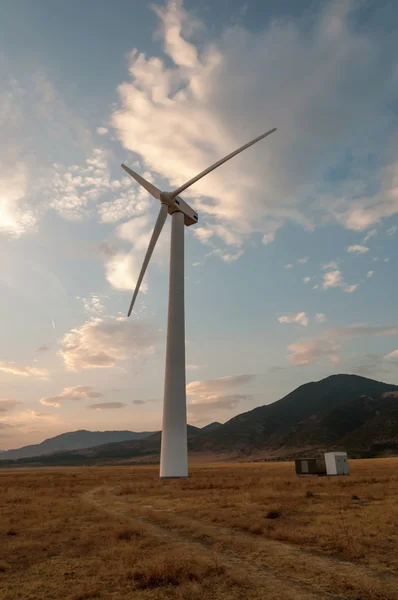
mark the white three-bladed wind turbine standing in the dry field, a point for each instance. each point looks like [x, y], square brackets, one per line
[174, 448]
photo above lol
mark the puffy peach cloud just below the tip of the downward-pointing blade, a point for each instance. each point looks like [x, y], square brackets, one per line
[101, 343]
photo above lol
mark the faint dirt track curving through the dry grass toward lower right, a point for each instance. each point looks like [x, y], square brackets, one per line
[285, 570]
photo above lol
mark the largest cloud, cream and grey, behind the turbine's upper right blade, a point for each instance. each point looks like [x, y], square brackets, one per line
[199, 91]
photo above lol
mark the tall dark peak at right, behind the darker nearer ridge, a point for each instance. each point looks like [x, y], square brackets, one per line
[315, 414]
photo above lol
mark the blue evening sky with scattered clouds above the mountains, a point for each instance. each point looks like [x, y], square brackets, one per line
[291, 270]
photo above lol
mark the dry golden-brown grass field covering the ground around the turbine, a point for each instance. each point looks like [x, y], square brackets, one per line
[246, 531]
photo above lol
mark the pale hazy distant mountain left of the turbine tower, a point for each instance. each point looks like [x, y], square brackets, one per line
[72, 440]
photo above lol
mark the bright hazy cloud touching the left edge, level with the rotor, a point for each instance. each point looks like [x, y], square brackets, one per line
[29, 105]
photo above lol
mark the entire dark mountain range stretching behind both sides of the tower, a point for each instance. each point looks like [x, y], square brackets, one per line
[341, 412]
